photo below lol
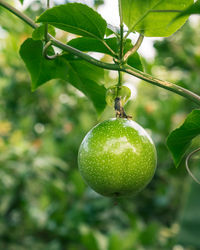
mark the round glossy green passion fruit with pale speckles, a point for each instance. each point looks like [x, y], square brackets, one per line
[117, 158]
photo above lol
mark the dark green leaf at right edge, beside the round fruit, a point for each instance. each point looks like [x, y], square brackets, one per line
[180, 139]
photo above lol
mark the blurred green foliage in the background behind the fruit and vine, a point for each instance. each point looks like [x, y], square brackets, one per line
[44, 203]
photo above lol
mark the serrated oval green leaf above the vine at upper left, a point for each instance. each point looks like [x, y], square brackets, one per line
[75, 18]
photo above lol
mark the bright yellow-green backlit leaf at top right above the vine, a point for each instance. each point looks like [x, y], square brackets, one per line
[154, 17]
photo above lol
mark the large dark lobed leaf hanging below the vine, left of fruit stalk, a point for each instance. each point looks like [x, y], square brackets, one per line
[82, 75]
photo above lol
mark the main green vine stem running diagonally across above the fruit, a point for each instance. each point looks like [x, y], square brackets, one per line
[124, 68]
